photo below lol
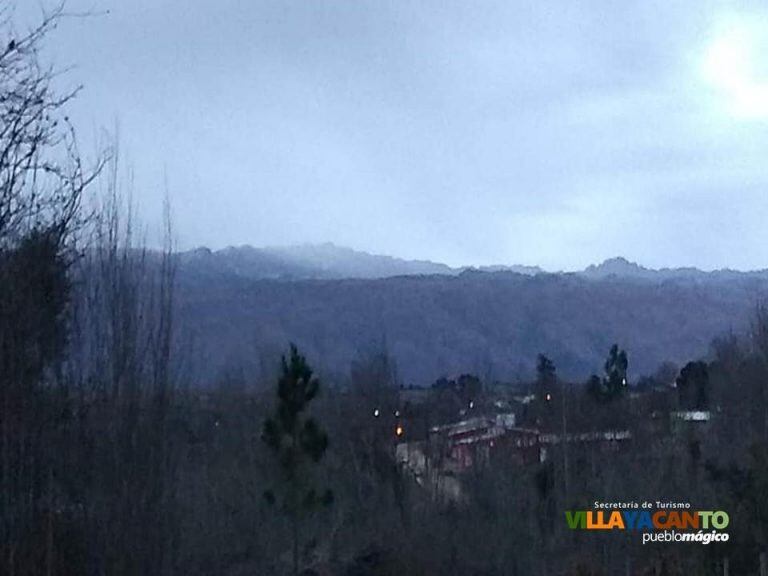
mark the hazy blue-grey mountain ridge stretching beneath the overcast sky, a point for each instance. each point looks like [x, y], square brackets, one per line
[243, 306]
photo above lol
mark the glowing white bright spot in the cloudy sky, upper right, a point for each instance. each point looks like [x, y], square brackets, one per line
[731, 66]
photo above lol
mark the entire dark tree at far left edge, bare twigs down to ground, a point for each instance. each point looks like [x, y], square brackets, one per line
[42, 180]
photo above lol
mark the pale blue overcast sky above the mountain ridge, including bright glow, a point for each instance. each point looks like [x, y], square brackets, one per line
[556, 134]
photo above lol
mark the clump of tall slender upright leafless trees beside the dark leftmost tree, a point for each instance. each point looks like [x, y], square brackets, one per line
[121, 361]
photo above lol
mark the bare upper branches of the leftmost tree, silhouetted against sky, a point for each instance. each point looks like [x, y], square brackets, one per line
[42, 174]
